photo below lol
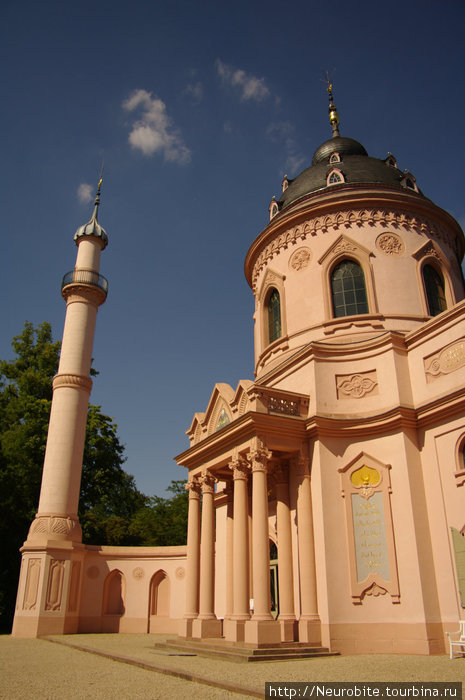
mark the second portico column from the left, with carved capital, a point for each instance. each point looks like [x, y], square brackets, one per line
[206, 624]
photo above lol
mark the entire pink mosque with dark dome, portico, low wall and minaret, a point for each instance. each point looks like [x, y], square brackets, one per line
[326, 496]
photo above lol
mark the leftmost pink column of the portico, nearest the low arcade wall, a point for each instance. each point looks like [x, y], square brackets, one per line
[193, 555]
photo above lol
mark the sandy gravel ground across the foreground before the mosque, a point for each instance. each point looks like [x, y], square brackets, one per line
[38, 669]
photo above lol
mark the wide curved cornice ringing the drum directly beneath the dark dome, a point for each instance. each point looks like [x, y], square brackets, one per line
[355, 207]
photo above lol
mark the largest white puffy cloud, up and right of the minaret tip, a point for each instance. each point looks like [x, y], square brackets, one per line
[154, 131]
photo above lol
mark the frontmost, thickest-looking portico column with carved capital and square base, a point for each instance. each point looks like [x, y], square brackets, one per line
[261, 628]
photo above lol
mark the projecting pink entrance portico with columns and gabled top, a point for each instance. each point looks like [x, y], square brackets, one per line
[249, 463]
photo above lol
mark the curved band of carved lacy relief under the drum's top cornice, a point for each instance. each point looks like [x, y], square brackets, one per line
[347, 219]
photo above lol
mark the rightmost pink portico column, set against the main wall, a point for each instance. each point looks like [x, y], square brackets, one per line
[309, 623]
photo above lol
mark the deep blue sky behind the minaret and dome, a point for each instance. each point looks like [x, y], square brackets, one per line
[199, 109]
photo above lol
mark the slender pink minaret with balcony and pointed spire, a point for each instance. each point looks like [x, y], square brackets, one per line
[49, 583]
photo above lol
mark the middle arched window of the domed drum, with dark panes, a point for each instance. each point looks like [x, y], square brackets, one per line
[348, 289]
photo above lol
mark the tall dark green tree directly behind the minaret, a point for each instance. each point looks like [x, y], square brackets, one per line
[109, 496]
